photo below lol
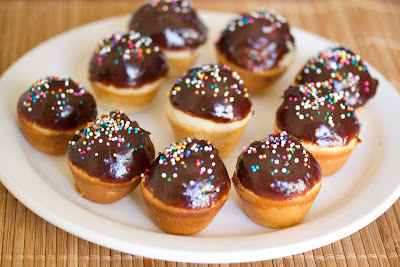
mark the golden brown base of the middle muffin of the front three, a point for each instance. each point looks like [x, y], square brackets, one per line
[176, 220]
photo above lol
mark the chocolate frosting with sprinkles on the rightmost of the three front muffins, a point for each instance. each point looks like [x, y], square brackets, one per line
[278, 167]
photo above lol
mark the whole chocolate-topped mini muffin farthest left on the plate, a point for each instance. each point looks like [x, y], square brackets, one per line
[52, 110]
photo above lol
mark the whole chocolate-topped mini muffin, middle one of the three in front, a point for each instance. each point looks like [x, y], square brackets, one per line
[185, 187]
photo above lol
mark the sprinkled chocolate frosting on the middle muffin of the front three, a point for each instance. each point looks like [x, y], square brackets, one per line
[188, 174]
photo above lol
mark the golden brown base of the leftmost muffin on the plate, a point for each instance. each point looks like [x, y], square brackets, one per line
[47, 140]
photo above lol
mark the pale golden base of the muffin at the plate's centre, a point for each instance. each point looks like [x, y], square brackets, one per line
[223, 136]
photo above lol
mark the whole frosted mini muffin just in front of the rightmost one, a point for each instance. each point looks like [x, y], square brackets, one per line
[323, 120]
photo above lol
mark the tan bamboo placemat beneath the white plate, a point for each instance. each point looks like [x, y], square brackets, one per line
[372, 28]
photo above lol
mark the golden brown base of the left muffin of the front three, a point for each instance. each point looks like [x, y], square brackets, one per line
[98, 191]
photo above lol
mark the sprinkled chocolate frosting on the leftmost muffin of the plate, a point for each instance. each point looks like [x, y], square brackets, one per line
[57, 104]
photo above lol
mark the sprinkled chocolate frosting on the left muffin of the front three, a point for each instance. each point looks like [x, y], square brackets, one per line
[112, 148]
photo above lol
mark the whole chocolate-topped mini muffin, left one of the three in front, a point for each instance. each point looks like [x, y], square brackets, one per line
[108, 157]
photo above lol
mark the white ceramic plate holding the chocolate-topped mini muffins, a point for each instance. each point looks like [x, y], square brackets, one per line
[361, 191]
